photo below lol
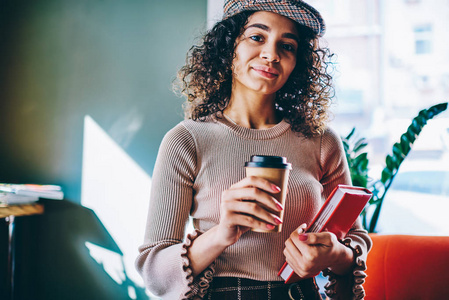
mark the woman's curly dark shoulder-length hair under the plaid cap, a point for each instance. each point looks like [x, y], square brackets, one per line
[303, 101]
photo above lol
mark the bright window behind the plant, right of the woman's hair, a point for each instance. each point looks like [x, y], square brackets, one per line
[392, 62]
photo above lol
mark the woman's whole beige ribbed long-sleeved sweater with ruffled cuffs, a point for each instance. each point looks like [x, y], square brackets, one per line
[196, 162]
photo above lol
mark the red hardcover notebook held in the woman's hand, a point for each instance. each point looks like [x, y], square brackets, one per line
[337, 215]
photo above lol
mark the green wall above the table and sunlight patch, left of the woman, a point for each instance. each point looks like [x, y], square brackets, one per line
[62, 60]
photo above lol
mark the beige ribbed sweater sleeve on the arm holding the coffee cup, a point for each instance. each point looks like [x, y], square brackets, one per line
[162, 261]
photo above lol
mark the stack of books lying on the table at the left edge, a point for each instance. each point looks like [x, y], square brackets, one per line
[28, 193]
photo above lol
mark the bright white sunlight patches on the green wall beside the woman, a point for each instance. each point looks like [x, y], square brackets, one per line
[118, 191]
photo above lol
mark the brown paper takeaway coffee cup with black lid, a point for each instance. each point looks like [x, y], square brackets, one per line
[276, 170]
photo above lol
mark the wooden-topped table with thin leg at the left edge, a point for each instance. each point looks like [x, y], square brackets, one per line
[9, 213]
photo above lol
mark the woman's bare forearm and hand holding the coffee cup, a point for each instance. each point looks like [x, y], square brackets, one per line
[245, 205]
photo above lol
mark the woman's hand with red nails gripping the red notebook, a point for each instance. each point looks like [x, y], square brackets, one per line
[310, 253]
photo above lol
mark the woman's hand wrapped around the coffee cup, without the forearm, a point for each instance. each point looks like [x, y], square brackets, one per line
[245, 205]
